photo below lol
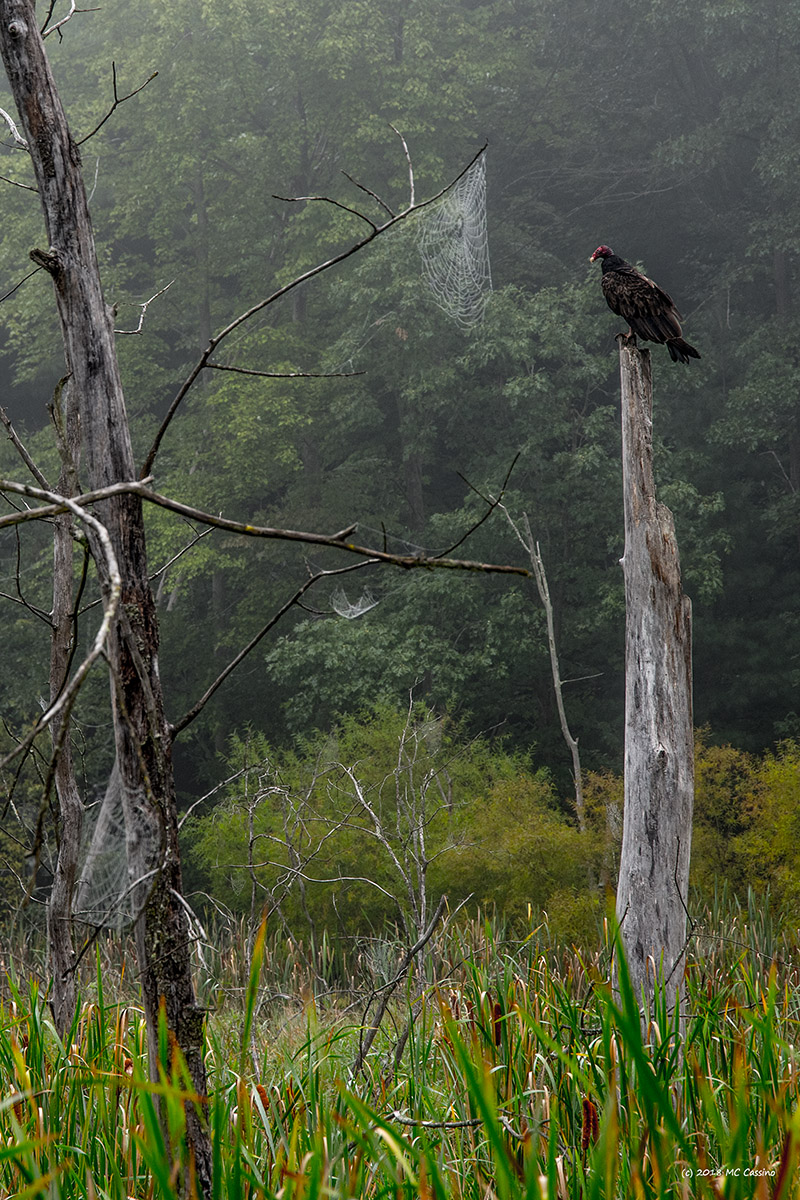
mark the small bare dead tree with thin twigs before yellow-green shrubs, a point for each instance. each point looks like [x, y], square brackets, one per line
[396, 814]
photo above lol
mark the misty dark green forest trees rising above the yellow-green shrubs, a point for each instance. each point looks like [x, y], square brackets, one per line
[660, 131]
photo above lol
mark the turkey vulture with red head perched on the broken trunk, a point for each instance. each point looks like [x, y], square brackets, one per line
[647, 308]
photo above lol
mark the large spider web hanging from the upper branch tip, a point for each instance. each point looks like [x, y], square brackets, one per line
[454, 244]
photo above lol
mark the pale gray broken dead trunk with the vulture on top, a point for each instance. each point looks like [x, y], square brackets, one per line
[659, 742]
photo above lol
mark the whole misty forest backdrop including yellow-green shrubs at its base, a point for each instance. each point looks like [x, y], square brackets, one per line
[671, 135]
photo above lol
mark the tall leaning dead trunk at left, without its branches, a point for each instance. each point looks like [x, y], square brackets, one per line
[142, 733]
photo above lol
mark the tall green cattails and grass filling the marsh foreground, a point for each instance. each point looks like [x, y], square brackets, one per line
[522, 1077]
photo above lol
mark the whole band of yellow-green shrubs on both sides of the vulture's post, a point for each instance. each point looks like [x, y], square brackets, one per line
[393, 811]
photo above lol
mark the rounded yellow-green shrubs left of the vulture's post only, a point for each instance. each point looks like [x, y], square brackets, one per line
[393, 812]
